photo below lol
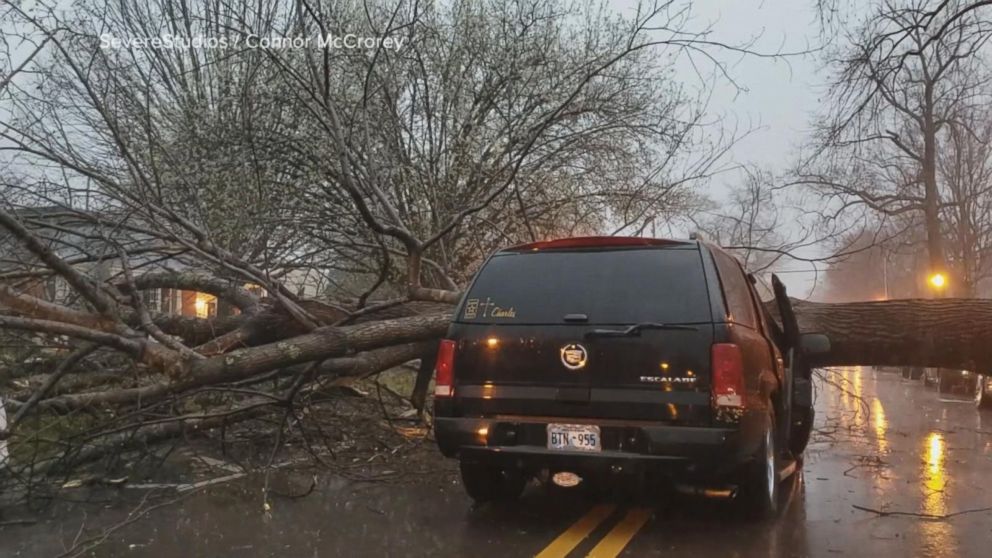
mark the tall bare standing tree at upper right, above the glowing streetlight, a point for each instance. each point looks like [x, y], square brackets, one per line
[890, 111]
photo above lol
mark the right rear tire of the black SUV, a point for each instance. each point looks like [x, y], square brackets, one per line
[758, 491]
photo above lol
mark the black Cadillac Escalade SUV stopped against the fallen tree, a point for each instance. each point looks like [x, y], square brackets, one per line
[607, 354]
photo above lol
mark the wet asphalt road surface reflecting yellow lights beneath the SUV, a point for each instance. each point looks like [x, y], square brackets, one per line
[902, 450]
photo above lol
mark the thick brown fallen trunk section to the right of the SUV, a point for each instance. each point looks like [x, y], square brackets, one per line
[951, 333]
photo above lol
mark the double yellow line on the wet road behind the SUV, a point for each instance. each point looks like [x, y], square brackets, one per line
[609, 546]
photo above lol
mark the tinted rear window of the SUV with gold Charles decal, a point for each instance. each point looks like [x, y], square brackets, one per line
[618, 286]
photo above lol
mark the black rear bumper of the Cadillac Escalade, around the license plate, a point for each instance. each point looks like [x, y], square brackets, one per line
[522, 442]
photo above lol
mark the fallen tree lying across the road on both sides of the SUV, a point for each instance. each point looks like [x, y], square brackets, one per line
[939, 333]
